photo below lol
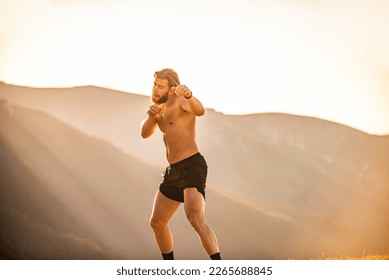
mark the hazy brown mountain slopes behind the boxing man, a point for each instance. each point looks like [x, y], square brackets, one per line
[77, 181]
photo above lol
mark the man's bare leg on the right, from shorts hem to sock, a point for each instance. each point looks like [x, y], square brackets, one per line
[195, 212]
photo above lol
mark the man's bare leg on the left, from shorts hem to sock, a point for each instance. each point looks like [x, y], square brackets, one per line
[163, 210]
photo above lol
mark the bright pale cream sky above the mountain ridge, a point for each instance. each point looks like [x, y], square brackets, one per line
[327, 59]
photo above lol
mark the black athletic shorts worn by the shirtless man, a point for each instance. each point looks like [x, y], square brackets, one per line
[188, 173]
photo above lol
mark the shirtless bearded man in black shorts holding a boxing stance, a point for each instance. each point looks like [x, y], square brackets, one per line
[174, 111]
